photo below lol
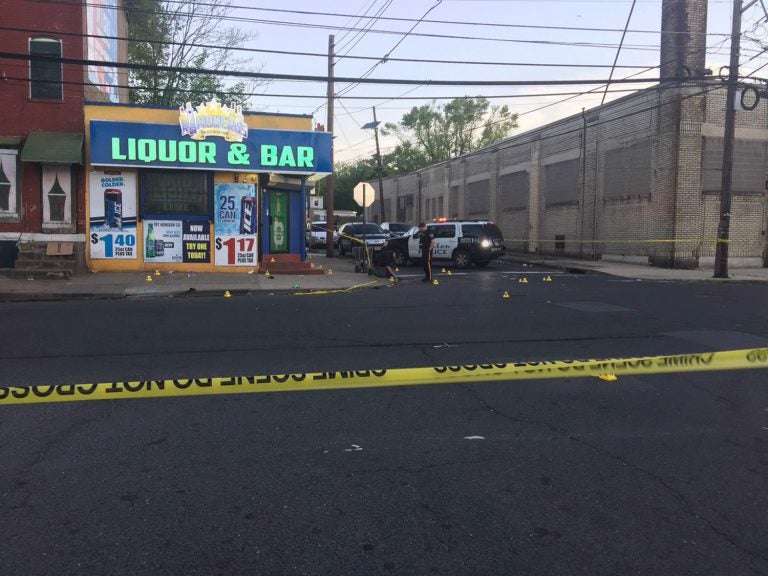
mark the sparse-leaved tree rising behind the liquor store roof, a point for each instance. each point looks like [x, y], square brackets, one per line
[187, 35]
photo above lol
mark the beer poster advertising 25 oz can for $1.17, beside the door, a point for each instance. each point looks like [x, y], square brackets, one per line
[235, 224]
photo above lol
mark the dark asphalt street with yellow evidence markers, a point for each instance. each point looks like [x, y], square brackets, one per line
[655, 474]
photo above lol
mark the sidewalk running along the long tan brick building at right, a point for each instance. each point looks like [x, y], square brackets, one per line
[638, 271]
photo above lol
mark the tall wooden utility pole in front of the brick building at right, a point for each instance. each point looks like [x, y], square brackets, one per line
[723, 228]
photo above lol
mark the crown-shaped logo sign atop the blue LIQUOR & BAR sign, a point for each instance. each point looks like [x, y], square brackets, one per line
[213, 119]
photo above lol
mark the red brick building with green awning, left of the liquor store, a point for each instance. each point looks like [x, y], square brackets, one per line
[42, 192]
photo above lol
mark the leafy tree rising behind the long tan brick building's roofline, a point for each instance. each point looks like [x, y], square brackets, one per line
[431, 133]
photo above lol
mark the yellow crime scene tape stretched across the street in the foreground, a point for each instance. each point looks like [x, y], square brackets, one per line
[513, 372]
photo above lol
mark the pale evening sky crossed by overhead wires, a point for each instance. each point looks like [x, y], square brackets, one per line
[483, 34]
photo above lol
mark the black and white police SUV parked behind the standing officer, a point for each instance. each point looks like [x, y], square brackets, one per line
[462, 242]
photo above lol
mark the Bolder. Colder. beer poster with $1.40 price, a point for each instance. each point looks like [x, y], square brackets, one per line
[112, 215]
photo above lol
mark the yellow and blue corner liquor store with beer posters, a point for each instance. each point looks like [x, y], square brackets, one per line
[200, 188]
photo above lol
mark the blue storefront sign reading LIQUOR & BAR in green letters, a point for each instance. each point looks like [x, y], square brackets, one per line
[164, 146]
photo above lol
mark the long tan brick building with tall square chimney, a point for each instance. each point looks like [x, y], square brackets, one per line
[637, 179]
